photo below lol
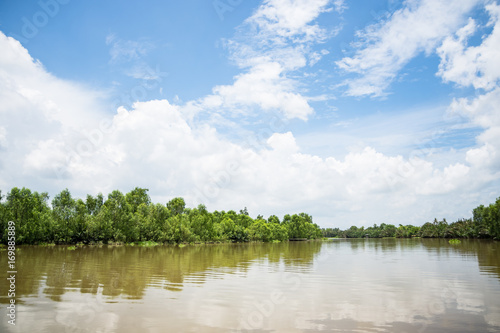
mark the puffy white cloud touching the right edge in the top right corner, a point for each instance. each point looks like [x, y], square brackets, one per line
[476, 66]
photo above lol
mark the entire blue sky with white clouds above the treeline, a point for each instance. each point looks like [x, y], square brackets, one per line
[355, 112]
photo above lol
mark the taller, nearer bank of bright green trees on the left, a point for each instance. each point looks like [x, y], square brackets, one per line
[132, 217]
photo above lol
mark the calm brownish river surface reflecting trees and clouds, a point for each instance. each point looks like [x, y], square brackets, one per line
[364, 285]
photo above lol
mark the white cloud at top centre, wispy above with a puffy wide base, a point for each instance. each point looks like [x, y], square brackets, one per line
[273, 43]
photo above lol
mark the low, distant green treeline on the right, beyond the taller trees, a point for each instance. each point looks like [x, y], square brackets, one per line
[485, 223]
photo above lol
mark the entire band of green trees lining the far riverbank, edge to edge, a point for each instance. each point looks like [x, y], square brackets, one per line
[132, 217]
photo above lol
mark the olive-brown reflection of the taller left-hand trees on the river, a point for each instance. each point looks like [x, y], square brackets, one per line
[128, 271]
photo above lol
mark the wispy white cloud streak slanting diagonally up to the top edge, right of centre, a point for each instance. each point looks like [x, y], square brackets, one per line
[386, 47]
